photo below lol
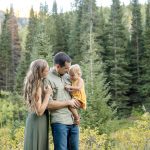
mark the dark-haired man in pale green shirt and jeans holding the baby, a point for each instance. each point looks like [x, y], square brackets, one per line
[65, 132]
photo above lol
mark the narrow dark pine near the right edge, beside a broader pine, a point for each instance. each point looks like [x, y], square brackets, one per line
[135, 55]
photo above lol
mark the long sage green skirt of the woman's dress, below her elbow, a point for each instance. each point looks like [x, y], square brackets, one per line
[36, 132]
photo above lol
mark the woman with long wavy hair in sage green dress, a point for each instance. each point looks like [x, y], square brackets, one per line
[37, 97]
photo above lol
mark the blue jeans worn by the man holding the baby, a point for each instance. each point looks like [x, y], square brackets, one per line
[65, 137]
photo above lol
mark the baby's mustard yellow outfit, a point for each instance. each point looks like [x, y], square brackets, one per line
[79, 94]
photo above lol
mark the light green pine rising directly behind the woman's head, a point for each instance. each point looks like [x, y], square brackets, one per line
[41, 47]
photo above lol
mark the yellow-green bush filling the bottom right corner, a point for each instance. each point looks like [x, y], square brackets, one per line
[137, 137]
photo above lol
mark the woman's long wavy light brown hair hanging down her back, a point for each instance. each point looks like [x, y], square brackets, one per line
[33, 81]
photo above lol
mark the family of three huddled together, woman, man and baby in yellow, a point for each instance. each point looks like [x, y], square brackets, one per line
[57, 92]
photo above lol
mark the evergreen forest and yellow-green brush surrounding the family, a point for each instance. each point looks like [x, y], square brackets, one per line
[112, 45]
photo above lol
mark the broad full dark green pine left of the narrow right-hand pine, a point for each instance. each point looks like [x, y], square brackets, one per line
[114, 58]
